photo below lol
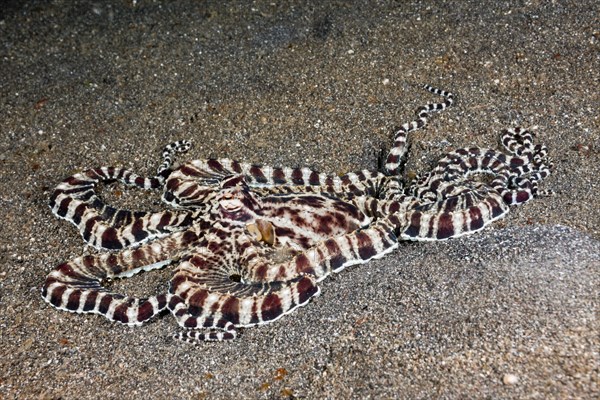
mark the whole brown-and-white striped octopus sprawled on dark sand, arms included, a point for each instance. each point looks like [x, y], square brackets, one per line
[251, 243]
